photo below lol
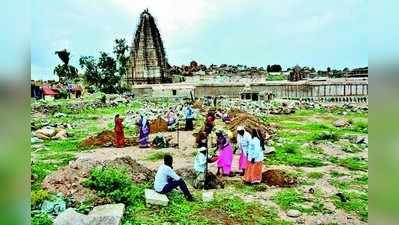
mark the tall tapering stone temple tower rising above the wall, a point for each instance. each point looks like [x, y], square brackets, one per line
[147, 62]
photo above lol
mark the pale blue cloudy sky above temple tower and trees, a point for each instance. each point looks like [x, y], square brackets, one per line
[313, 33]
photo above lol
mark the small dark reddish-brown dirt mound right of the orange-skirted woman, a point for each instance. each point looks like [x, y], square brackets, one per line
[278, 178]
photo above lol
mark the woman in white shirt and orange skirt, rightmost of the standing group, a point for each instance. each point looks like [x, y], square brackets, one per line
[253, 173]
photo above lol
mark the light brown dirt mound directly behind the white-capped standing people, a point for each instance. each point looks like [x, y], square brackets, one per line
[250, 122]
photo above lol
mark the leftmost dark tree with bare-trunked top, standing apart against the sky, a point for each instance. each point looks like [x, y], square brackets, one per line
[65, 72]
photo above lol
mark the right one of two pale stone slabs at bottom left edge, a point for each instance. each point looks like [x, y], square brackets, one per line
[107, 214]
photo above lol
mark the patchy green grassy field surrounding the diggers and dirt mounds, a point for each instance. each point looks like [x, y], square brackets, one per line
[300, 148]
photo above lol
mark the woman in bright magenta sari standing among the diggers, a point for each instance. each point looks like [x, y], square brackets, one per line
[225, 157]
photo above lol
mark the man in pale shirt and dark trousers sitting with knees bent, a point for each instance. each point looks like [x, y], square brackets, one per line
[166, 179]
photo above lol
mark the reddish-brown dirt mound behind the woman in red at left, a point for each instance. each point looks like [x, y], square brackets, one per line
[105, 139]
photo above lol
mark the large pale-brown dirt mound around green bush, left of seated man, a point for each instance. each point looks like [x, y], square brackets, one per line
[68, 179]
